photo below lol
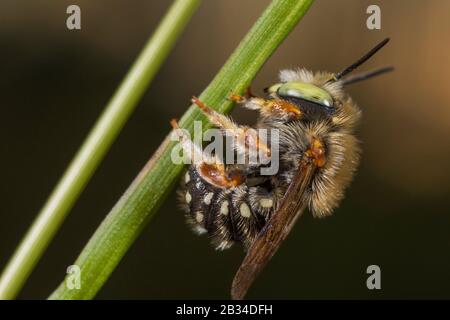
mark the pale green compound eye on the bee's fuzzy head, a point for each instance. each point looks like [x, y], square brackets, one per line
[302, 90]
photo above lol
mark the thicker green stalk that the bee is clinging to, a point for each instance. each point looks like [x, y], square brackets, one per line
[139, 203]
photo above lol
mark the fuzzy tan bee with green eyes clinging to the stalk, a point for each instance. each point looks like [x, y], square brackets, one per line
[318, 156]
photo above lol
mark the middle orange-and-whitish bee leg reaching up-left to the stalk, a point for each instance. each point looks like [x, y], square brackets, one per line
[246, 138]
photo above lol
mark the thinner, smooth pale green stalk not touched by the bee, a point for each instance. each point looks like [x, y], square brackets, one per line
[94, 148]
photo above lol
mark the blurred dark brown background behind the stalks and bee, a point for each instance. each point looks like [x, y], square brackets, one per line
[55, 82]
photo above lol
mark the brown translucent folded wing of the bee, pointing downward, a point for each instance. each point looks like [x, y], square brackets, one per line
[274, 232]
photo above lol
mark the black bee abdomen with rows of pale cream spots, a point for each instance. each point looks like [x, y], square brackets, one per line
[226, 215]
